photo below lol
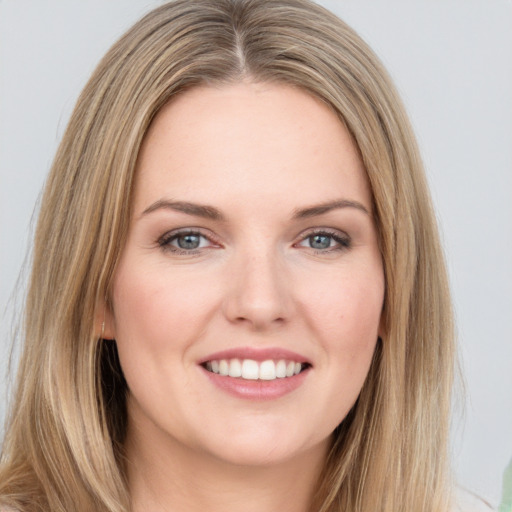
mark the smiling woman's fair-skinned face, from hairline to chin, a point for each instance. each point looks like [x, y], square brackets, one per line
[252, 251]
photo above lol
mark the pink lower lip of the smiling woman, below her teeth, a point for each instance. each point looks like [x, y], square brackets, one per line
[257, 389]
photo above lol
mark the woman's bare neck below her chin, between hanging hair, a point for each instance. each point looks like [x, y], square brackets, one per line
[173, 477]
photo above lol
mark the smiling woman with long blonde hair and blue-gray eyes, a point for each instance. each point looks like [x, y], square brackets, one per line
[238, 297]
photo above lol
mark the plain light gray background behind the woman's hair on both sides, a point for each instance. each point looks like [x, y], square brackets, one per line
[452, 62]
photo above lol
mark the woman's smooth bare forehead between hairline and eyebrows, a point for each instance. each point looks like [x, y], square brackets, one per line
[257, 141]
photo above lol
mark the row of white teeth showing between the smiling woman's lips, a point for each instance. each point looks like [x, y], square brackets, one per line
[249, 369]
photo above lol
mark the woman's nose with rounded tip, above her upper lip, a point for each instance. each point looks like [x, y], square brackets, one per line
[258, 291]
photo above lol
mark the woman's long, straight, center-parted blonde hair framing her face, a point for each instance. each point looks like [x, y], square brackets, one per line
[63, 448]
